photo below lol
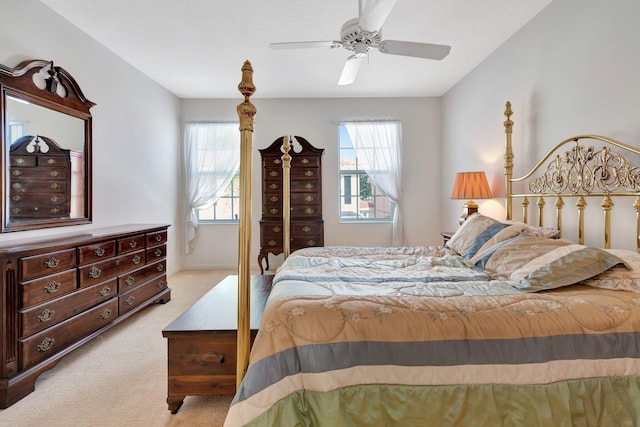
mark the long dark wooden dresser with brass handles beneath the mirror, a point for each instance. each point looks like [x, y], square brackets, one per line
[60, 292]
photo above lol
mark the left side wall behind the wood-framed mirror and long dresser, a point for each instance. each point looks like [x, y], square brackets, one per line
[136, 125]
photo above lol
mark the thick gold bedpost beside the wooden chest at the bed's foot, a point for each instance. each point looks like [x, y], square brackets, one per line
[246, 111]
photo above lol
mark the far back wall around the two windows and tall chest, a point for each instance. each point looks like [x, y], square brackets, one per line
[316, 120]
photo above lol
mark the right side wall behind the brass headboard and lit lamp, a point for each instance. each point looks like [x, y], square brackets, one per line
[573, 69]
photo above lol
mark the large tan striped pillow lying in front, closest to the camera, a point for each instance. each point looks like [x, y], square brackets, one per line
[535, 263]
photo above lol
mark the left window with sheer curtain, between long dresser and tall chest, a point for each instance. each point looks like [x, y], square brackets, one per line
[212, 162]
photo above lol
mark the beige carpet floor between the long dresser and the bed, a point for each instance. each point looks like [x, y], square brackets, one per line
[120, 377]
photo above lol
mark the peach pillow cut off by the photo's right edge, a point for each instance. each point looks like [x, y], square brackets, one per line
[620, 277]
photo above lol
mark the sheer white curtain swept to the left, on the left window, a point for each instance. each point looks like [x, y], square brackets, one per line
[212, 158]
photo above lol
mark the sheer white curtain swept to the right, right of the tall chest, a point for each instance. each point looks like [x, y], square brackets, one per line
[378, 147]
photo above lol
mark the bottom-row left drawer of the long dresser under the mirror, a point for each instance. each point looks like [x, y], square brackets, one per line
[57, 338]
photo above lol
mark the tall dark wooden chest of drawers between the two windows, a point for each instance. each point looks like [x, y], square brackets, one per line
[307, 224]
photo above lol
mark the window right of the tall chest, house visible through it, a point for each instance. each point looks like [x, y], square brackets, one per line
[368, 164]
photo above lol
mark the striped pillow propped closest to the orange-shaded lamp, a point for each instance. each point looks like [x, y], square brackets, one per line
[480, 231]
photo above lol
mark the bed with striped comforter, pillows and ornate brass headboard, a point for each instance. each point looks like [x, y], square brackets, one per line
[506, 324]
